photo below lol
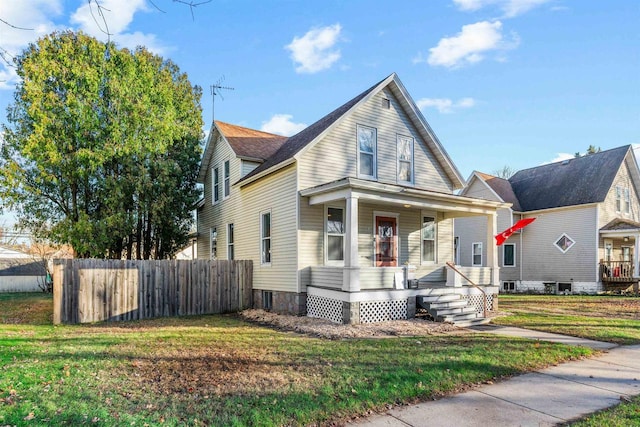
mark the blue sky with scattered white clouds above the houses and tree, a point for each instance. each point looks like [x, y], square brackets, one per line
[501, 82]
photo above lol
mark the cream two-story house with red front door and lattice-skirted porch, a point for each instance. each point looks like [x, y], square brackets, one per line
[334, 216]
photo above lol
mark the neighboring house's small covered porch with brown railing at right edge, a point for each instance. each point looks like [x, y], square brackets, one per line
[619, 249]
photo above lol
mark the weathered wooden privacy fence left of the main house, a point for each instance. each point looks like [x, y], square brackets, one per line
[91, 290]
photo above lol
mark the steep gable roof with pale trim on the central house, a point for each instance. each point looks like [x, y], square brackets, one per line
[308, 136]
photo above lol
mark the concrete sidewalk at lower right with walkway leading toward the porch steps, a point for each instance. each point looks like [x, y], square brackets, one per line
[544, 398]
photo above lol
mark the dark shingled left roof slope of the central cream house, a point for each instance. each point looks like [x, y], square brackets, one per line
[297, 142]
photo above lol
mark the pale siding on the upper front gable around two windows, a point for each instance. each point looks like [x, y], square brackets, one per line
[334, 157]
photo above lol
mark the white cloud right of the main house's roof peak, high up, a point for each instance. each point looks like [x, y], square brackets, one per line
[469, 45]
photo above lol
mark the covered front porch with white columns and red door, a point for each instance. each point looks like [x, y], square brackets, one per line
[387, 245]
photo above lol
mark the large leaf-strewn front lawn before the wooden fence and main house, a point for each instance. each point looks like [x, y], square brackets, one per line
[220, 370]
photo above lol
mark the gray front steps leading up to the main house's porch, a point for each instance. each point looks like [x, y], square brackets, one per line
[451, 307]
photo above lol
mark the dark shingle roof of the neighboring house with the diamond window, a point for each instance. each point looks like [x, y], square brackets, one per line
[571, 182]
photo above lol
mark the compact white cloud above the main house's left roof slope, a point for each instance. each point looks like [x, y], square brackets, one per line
[315, 50]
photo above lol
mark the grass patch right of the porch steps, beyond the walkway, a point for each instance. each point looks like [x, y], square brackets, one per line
[613, 319]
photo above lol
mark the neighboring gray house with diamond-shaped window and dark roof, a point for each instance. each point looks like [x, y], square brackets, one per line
[587, 230]
